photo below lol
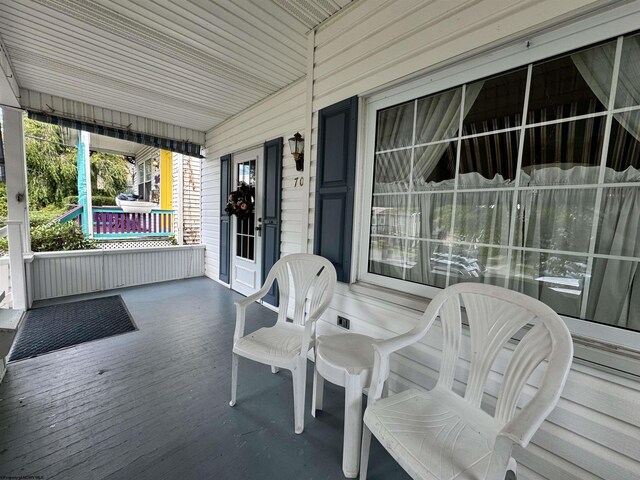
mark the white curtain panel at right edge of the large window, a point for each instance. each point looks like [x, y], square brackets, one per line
[620, 212]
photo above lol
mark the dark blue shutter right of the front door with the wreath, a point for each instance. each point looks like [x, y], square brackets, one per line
[271, 212]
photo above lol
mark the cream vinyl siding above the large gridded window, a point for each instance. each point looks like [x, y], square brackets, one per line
[377, 42]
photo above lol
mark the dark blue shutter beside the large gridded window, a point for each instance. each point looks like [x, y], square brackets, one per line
[335, 181]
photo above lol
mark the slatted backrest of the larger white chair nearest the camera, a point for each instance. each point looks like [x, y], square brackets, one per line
[495, 315]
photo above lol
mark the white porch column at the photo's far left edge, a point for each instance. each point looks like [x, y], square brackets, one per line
[17, 203]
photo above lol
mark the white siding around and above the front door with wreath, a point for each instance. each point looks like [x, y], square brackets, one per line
[280, 115]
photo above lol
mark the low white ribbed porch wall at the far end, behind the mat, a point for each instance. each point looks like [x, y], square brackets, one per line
[59, 274]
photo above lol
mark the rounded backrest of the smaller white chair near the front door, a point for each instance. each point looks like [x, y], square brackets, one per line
[310, 278]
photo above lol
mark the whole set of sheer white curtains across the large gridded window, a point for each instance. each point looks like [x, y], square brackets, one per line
[419, 239]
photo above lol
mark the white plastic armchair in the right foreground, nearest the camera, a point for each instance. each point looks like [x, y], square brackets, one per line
[439, 434]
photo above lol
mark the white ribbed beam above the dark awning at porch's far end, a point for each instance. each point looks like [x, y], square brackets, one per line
[76, 110]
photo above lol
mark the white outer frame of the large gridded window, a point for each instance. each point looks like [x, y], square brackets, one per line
[580, 34]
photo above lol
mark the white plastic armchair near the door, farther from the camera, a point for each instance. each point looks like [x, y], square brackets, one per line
[286, 344]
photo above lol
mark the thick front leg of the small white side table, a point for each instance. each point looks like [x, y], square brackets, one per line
[352, 426]
